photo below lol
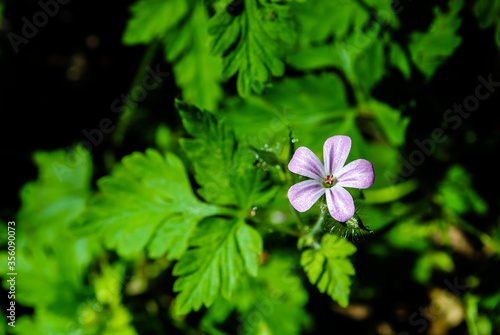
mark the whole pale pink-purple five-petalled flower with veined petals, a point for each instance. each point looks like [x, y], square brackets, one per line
[329, 179]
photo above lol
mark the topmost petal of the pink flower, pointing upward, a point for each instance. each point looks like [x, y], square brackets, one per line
[335, 152]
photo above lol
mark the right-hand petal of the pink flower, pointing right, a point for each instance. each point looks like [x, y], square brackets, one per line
[357, 174]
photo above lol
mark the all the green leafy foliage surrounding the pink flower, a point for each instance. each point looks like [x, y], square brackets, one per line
[195, 234]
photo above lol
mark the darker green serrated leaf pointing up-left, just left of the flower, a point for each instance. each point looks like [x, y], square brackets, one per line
[224, 170]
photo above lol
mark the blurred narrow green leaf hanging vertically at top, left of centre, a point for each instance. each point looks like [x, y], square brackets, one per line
[196, 71]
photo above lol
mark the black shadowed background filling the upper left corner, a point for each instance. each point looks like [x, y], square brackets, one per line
[61, 82]
